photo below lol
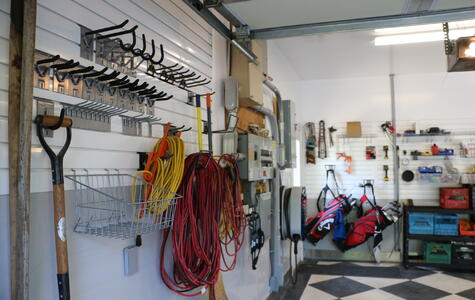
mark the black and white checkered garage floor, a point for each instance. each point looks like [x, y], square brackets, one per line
[365, 281]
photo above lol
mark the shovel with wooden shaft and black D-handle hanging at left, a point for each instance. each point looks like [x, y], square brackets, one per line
[53, 123]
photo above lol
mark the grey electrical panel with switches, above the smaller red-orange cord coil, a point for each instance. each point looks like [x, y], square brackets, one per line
[258, 160]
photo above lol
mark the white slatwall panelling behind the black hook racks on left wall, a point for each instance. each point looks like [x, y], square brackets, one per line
[186, 40]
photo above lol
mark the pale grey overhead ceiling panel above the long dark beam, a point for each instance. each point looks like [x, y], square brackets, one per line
[261, 14]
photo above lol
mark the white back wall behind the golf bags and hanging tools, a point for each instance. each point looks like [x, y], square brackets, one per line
[343, 77]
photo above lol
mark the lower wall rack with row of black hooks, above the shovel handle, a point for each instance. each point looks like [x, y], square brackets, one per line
[92, 97]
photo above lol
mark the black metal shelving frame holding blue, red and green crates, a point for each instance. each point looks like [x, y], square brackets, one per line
[411, 262]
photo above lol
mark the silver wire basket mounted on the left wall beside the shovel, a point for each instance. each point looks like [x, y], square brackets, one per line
[120, 205]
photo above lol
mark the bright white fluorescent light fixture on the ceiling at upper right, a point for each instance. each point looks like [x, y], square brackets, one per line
[422, 33]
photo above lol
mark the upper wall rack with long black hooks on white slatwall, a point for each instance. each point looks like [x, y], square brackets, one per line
[110, 48]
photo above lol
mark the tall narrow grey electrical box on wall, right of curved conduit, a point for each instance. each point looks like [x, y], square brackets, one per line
[290, 134]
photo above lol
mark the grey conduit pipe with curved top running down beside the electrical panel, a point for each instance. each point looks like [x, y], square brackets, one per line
[277, 273]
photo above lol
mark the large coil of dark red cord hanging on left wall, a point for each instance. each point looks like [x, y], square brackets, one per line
[195, 232]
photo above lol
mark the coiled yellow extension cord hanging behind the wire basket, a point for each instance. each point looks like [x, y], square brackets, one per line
[167, 177]
